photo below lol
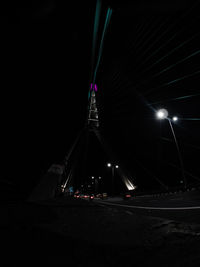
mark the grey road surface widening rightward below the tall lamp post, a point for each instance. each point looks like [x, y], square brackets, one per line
[180, 206]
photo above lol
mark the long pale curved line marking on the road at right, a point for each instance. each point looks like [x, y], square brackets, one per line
[150, 208]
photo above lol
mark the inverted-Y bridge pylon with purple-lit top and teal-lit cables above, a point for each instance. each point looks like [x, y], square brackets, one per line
[92, 120]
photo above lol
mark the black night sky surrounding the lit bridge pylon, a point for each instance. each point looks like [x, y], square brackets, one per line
[150, 55]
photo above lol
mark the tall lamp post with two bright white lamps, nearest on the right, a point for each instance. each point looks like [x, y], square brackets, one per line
[163, 114]
